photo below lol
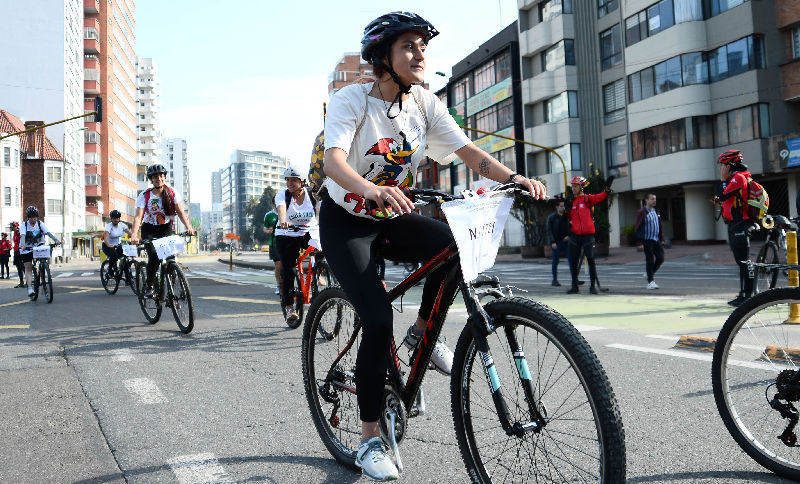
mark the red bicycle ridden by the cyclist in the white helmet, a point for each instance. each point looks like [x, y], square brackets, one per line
[308, 282]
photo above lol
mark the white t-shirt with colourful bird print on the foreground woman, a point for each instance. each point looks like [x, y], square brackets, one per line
[387, 151]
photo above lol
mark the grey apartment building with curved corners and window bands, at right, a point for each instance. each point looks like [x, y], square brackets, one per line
[653, 91]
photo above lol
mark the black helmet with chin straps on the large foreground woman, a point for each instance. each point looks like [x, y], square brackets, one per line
[387, 27]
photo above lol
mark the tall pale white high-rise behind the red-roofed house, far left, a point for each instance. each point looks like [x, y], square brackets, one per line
[41, 57]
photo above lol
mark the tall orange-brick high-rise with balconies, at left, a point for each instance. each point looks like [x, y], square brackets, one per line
[112, 145]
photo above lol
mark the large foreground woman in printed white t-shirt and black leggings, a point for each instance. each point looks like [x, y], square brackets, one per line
[371, 155]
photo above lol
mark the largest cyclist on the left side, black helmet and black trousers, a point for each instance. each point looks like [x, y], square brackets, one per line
[156, 209]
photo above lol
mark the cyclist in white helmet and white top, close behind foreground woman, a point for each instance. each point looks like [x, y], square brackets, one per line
[297, 228]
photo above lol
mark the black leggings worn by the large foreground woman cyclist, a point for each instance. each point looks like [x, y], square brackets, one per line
[348, 243]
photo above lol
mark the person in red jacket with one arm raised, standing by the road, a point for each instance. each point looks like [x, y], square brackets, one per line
[582, 229]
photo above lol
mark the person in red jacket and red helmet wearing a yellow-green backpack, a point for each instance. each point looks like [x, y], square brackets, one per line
[731, 192]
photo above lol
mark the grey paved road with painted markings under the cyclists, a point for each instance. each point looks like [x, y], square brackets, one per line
[92, 393]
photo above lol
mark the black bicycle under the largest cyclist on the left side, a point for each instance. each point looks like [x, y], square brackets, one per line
[170, 288]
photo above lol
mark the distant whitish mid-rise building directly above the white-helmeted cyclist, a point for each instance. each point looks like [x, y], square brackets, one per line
[248, 174]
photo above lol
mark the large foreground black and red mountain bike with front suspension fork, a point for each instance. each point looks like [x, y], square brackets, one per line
[549, 417]
